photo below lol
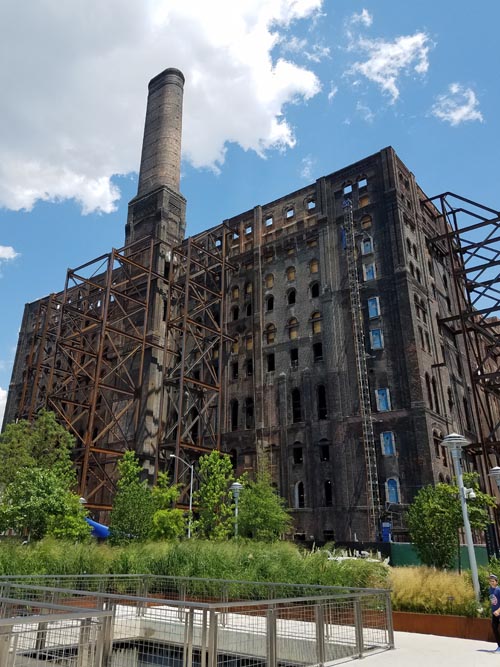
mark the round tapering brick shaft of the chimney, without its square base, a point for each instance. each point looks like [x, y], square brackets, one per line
[161, 149]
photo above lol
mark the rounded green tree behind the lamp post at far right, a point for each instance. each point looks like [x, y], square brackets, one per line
[435, 517]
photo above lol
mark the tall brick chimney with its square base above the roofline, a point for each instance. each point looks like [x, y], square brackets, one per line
[159, 210]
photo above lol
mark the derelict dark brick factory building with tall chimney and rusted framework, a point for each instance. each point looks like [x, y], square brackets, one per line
[320, 337]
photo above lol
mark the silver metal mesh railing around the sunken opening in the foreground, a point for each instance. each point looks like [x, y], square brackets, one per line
[164, 619]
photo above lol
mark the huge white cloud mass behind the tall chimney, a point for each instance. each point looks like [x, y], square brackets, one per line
[74, 96]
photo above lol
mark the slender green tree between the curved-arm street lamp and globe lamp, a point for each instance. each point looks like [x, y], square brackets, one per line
[214, 499]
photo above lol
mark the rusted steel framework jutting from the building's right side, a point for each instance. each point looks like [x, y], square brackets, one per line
[469, 236]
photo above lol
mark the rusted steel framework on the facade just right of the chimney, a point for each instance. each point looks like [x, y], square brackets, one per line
[195, 351]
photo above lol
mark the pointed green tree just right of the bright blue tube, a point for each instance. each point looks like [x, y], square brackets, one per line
[133, 506]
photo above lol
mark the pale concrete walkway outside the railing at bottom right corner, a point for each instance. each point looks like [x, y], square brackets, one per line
[413, 650]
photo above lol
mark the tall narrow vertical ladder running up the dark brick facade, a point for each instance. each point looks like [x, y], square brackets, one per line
[373, 495]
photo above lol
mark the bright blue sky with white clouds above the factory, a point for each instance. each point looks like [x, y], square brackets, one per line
[277, 94]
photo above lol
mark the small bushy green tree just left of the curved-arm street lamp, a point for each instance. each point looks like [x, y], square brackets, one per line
[167, 523]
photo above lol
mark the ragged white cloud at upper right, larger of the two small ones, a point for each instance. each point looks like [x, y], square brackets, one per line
[388, 61]
